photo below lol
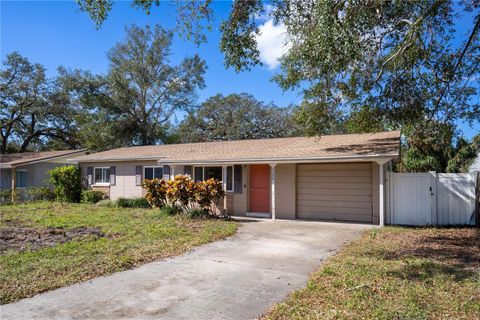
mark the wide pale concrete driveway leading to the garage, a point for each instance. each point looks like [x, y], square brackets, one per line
[236, 278]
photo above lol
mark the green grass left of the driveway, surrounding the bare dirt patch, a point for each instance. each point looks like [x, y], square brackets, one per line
[132, 237]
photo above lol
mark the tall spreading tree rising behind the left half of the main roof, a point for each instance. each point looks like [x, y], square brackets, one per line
[134, 103]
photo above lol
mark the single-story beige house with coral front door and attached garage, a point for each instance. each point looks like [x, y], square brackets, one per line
[337, 177]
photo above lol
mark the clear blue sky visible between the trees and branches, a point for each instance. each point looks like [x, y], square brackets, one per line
[57, 33]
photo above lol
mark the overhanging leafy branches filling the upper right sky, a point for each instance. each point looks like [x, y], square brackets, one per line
[403, 61]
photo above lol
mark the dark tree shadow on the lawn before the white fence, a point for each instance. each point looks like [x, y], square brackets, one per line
[450, 252]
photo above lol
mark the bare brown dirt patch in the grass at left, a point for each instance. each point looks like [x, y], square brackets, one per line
[22, 238]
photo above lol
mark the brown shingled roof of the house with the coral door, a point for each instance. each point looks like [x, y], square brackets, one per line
[386, 144]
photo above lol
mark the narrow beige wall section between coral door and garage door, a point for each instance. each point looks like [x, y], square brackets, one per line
[285, 176]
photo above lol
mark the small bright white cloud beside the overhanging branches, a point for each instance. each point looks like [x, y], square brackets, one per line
[272, 43]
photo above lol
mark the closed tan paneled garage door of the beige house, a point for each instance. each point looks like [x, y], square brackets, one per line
[335, 192]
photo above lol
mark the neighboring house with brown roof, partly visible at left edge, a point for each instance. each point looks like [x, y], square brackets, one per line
[30, 169]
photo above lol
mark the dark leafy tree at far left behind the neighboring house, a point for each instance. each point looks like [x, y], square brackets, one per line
[32, 108]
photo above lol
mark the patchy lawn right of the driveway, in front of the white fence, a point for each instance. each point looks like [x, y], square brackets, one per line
[394, 273]
